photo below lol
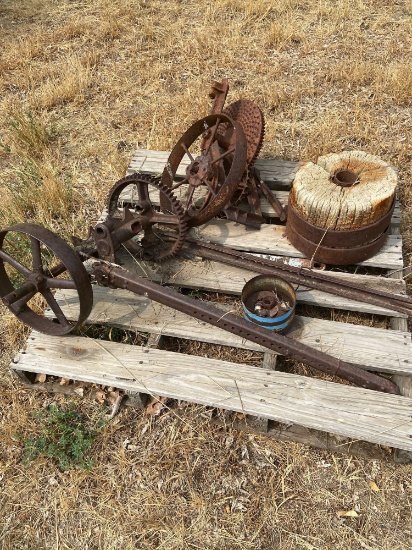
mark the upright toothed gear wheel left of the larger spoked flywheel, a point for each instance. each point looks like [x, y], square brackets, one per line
[166, 245]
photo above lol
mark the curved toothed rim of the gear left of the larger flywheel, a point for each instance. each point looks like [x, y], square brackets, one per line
[176, 207]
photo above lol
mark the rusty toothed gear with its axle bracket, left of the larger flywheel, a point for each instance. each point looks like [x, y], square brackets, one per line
[131, 211]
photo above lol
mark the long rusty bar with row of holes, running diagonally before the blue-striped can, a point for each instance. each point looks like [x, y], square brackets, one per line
[205, 312]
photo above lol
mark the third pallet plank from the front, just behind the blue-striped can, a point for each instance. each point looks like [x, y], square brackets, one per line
[214, 276]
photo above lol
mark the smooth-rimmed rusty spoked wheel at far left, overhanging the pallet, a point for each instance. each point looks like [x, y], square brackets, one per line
[51, 257]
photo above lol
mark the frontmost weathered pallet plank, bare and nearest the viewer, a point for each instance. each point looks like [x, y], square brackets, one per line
[340, 409]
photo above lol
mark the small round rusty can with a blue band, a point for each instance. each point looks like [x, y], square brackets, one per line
[269, 302]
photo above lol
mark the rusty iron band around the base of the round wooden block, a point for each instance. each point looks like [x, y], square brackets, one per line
[337, 247]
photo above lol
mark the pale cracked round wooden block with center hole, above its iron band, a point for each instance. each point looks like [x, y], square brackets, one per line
[344, 191]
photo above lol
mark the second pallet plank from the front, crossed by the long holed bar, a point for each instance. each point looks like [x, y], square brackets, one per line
[372, 348]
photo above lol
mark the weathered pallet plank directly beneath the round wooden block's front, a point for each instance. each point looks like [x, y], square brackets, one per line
[270, 239]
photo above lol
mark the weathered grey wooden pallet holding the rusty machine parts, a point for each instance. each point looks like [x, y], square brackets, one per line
[293, 407]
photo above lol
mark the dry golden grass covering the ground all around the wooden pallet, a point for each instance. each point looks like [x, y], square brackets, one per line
[83, 83]
